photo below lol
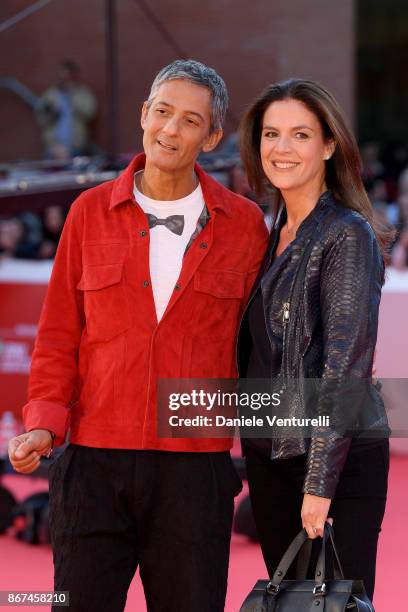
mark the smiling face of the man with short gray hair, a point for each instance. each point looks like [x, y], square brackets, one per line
[176, 125]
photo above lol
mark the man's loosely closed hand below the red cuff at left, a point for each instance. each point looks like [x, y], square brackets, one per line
[26, 450]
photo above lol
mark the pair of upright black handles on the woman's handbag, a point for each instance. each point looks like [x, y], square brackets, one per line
[273, 586]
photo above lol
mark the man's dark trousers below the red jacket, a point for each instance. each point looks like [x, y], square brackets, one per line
[168, 513]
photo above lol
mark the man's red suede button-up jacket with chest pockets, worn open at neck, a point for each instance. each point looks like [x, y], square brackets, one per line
[99, 349]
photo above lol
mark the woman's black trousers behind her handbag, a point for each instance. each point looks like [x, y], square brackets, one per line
[357, 508]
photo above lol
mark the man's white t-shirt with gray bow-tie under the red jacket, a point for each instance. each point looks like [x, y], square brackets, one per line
[167, 248]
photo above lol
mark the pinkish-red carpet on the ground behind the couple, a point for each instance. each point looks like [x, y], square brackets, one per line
[24, 567]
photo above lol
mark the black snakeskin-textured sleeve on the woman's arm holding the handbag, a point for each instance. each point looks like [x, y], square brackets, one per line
[350, 292]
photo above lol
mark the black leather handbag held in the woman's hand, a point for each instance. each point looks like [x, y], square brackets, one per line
[301, 595]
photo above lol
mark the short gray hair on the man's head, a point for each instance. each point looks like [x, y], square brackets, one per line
[200, 74]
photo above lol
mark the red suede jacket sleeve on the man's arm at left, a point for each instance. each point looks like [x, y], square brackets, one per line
[55, 357]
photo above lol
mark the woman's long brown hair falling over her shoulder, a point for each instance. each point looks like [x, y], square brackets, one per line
[343, 169]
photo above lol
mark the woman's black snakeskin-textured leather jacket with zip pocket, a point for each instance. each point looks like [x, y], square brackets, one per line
[326, 287]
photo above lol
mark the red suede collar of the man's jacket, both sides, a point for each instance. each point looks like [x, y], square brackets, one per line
[214, 195]
